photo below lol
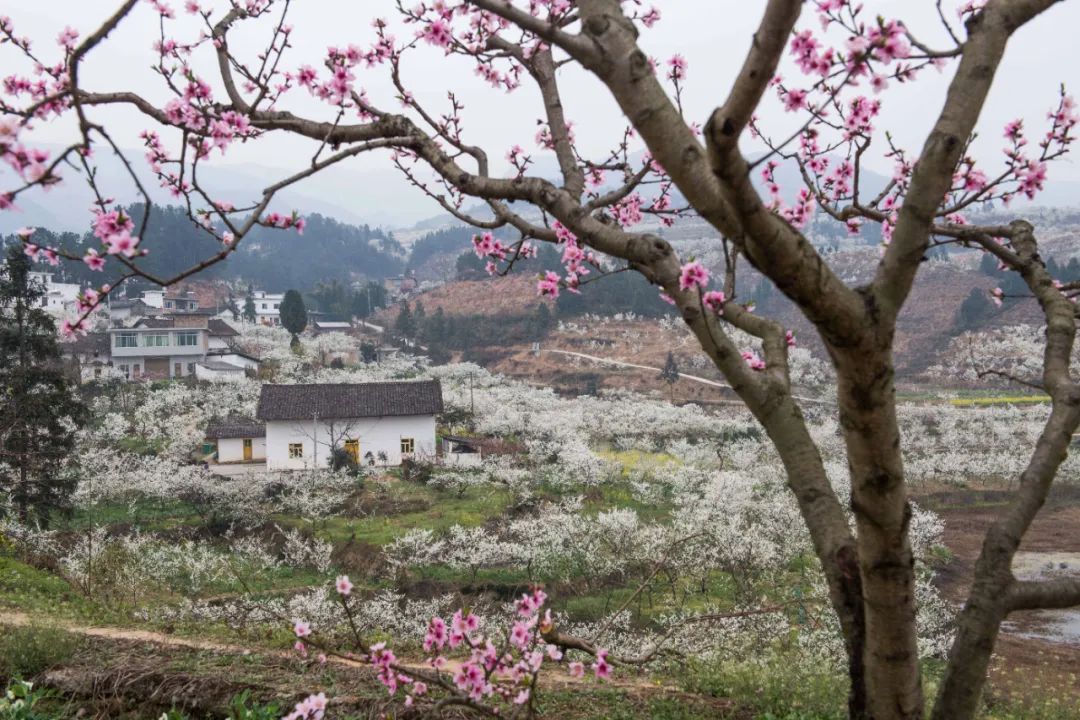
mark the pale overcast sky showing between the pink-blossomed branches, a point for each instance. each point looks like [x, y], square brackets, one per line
[712, 35]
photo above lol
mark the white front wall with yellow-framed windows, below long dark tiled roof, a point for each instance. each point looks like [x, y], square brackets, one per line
[375, 436]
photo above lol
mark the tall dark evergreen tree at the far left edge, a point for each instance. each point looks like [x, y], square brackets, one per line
[39, 411]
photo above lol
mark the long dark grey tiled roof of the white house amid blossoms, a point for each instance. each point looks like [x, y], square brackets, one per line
[335, 401]
